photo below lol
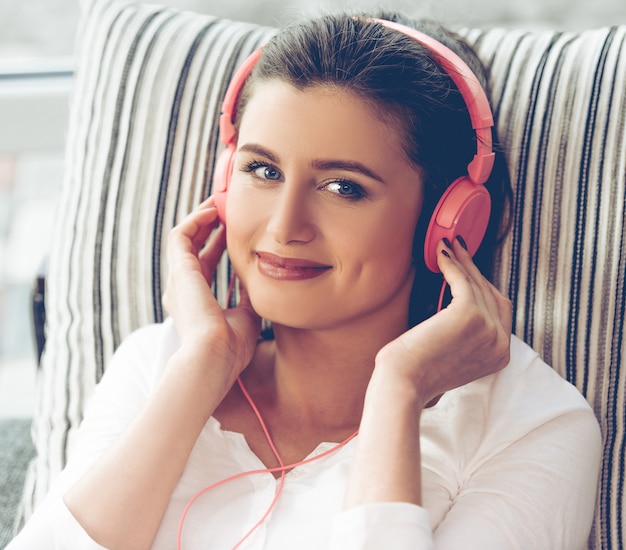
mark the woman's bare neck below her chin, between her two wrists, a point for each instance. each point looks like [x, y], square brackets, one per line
[315, 378]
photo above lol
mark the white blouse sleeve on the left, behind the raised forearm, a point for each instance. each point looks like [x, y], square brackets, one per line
[117, 399]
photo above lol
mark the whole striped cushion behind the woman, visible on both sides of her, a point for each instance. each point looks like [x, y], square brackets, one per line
[140, 155]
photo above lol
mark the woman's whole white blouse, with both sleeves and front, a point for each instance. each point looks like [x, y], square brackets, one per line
[508, 461]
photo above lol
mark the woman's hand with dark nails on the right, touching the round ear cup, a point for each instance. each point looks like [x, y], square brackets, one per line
[467, 340]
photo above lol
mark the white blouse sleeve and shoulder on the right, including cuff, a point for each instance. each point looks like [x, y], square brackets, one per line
[515, 466]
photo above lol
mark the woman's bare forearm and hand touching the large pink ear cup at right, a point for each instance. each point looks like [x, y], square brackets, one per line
[467, 340]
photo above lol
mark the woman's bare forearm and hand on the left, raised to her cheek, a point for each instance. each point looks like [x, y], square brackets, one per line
[145, 463]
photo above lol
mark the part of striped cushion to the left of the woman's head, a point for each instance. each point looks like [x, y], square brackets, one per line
[141, 148]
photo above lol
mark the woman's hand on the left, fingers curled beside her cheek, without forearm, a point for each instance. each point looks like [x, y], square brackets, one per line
[206, 331]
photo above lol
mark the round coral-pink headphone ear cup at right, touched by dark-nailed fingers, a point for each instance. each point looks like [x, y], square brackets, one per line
[464, 210]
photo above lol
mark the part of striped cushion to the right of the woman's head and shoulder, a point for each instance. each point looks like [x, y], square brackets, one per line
[560, 103]
